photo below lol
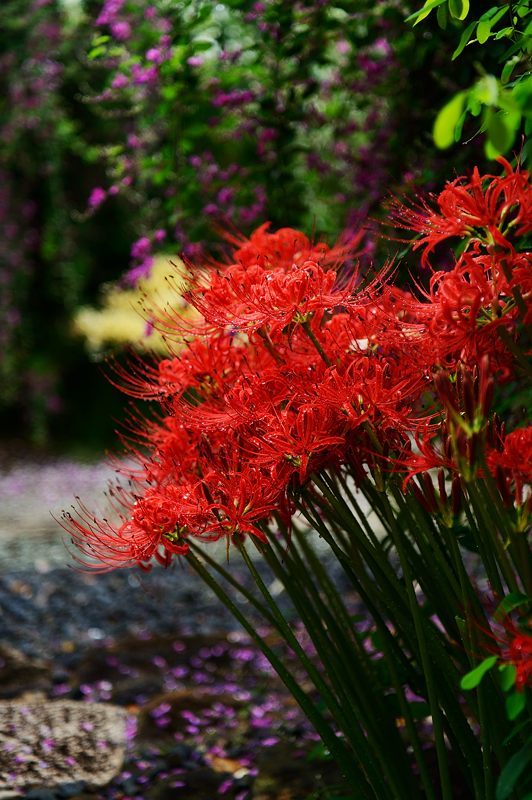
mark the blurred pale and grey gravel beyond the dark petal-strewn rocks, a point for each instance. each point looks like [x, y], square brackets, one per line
[45, 601]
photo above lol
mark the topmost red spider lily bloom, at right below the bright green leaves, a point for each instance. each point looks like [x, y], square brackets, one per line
[489, 208]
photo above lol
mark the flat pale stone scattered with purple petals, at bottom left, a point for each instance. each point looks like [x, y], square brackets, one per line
[53, 743]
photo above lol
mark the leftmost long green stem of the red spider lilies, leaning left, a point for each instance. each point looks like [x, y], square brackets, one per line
[331, 741]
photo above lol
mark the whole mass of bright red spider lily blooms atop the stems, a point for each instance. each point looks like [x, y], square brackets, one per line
[298, 364]
